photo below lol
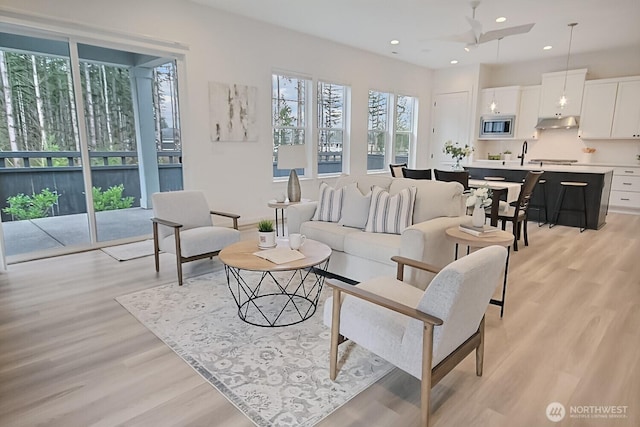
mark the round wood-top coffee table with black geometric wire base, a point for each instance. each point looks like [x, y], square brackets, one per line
[273, 295]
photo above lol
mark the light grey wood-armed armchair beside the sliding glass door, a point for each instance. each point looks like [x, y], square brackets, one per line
[182, 225]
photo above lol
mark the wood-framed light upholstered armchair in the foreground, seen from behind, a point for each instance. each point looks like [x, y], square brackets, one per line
[425, 333]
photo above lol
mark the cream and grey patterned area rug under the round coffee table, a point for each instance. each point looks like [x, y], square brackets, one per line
[275, 376]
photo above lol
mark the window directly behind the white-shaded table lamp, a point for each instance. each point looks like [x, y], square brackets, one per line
[289, 115]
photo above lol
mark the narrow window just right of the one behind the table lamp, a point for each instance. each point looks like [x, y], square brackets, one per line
[331, 127]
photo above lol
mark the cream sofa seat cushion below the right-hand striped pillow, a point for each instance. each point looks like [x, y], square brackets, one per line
[378, 247]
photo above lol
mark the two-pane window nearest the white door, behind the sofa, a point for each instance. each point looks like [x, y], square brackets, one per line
[391, 129]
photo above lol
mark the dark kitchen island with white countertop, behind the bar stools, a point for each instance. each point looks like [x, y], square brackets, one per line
[598, 179]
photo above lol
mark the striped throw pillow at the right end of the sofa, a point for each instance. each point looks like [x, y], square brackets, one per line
[390, 214]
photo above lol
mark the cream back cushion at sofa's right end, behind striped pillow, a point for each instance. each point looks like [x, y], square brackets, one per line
[433, 198]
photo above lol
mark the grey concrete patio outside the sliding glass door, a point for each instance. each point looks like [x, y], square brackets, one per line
[32, 236]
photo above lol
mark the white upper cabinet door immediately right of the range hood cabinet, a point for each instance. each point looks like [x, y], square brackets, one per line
[598, 105]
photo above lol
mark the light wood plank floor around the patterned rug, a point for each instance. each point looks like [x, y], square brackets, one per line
[72, 356]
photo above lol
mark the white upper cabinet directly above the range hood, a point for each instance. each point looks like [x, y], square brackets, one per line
[553, 86]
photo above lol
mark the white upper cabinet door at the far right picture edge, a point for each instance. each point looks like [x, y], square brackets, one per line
[626, 120]
